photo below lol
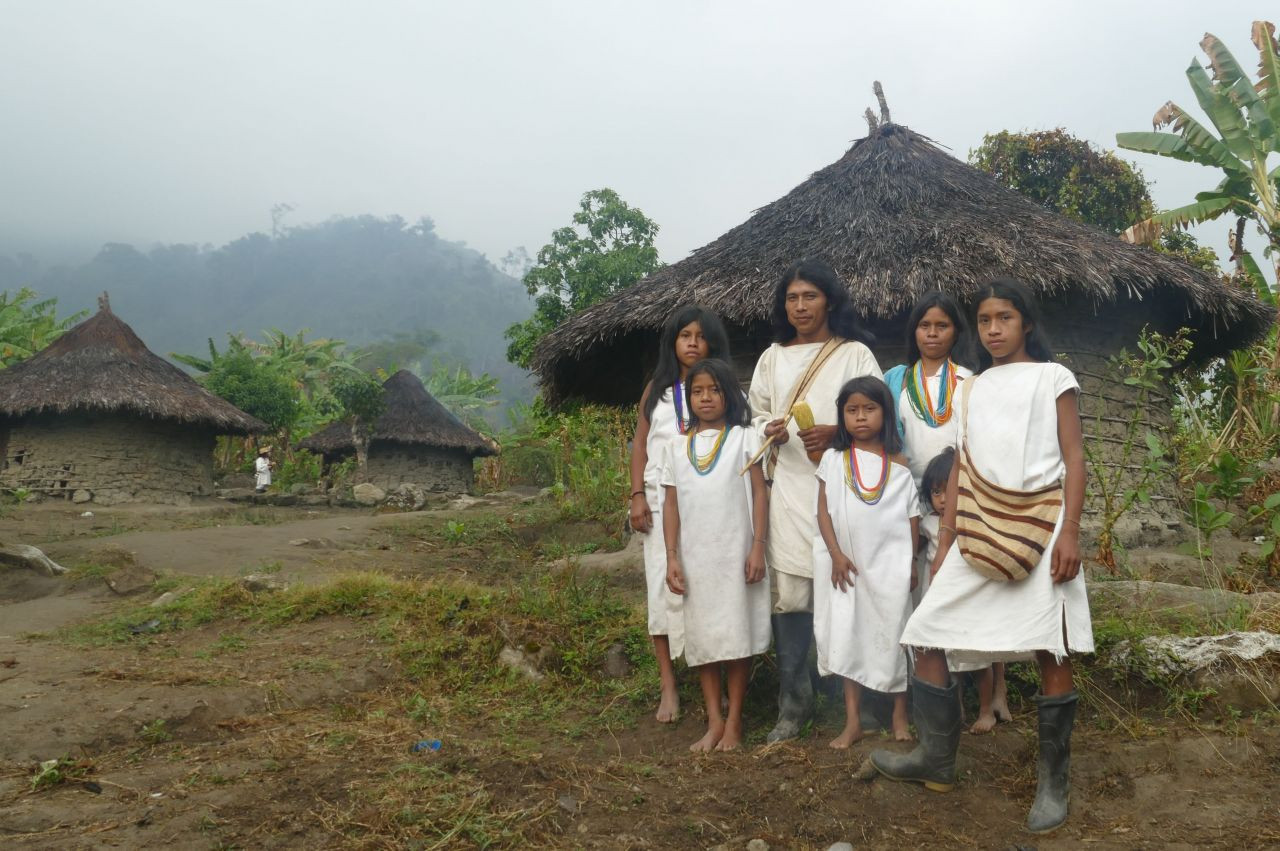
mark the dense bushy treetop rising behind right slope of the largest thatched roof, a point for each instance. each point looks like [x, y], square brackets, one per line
[1068, 176]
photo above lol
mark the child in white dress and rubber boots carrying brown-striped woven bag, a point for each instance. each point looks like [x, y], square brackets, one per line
[1022, 460]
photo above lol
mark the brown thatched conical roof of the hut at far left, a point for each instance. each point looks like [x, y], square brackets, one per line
[102, 367]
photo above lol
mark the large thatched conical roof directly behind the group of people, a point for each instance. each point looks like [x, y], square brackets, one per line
[895, 217]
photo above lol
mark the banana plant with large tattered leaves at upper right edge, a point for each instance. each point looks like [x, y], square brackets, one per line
[1246, 131]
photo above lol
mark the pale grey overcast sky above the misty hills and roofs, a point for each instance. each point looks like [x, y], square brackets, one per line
[175, 121]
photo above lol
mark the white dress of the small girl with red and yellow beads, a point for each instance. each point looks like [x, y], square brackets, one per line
[860, 632]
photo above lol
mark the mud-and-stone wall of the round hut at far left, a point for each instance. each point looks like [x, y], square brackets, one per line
[109, 460]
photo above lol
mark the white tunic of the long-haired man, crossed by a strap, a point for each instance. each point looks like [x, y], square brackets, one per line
[793, 521]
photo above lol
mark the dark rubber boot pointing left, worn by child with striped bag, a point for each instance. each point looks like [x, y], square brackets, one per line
[938, 722]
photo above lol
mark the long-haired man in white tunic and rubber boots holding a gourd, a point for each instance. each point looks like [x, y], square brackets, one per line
[816, 354]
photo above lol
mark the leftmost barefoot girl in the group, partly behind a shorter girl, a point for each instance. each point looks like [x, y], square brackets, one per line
[691, 335]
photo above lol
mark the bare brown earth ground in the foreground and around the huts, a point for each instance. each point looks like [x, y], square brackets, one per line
[296, 735]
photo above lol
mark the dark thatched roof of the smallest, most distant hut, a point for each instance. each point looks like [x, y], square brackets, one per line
[413, 417]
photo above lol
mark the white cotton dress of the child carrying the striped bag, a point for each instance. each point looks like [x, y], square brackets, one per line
[1012, 431]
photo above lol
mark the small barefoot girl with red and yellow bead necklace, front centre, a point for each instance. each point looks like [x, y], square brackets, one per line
[868, 515]
